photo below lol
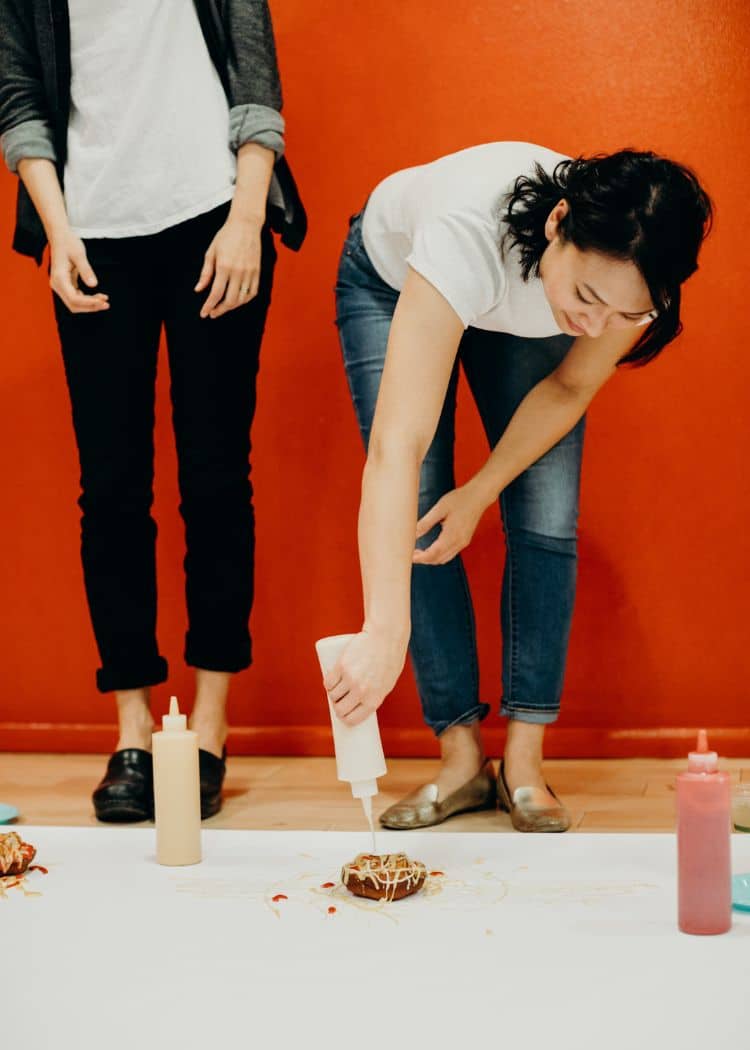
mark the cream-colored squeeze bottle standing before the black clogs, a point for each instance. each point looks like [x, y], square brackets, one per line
[177, 791]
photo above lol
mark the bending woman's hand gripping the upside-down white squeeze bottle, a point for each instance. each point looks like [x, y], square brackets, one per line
[364, 676]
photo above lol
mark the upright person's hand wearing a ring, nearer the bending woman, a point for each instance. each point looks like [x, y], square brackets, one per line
[234, 261]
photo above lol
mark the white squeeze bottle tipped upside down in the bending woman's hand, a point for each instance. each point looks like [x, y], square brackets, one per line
[360, 758]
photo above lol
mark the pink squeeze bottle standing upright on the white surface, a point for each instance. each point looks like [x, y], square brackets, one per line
[704, 838]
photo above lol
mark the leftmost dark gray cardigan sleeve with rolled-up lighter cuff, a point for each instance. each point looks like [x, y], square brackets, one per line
[26, 130]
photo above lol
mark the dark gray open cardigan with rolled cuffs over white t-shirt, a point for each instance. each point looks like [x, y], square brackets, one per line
[35, 97]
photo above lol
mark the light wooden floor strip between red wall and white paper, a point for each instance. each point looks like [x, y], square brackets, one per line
[623, 795]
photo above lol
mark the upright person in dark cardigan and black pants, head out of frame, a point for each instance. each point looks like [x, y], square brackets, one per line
[150, 146]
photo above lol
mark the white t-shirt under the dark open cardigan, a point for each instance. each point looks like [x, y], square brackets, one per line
[149, 136]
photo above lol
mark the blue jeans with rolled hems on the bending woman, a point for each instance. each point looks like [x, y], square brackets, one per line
[539, 513]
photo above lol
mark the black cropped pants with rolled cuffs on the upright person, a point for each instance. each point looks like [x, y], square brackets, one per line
[111, 365]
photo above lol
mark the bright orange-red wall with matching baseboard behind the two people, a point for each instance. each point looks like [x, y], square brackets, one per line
[660, 638]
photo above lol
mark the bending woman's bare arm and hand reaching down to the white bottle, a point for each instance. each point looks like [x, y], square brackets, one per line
[422, 352]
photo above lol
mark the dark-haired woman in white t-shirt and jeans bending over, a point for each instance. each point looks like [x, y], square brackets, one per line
[540, 276]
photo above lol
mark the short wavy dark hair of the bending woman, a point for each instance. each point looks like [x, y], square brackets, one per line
[630, 205]
